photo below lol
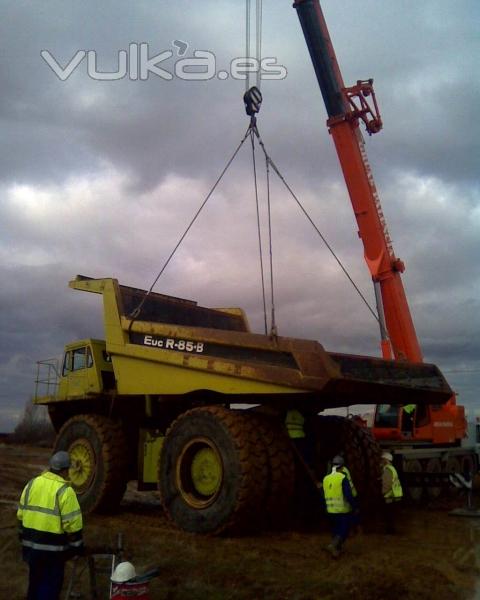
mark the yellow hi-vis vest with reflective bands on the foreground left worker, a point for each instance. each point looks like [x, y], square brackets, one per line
[50, 516]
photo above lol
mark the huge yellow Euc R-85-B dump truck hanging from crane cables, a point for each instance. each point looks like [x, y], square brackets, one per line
[155, 402]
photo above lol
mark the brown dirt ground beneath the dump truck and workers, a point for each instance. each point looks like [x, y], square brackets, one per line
[435, 555]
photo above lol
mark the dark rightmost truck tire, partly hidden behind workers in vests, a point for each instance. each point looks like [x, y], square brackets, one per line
[362, 454]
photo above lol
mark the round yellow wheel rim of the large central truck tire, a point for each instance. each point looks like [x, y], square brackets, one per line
[199, 473]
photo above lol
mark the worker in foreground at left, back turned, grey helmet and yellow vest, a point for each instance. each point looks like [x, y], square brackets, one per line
[50, 528]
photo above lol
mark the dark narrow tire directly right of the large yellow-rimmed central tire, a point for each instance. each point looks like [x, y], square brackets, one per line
[280, 471]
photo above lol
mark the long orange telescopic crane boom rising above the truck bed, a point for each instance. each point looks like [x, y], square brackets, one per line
[345, 108]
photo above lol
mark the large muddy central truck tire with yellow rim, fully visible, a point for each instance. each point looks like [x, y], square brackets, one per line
[212, 472]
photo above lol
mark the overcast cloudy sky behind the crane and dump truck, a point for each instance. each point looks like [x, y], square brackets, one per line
[102, 177]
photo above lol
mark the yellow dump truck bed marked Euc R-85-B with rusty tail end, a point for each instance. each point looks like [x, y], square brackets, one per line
[164, 345]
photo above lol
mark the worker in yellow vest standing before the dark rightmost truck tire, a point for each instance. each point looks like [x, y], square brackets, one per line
[340, 505]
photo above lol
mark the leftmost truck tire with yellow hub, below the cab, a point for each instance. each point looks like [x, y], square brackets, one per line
[99, 462]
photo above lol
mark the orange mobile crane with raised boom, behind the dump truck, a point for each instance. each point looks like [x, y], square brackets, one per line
[432, 441]
